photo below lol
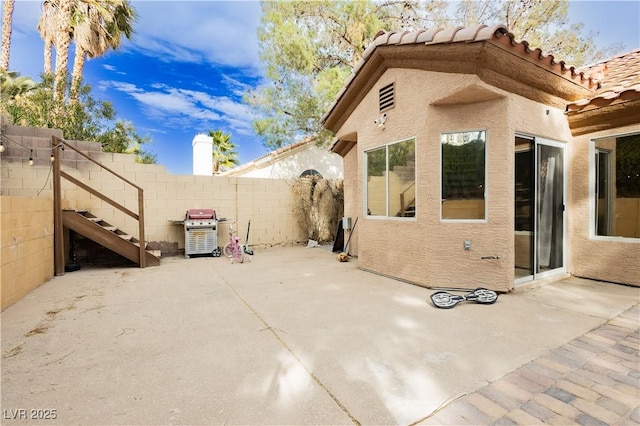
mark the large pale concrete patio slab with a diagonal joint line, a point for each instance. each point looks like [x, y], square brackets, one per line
[293, 337]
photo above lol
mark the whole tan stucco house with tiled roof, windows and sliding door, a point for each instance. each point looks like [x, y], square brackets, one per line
[473, 160]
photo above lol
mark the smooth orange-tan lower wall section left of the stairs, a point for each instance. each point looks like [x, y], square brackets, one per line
[27, 246]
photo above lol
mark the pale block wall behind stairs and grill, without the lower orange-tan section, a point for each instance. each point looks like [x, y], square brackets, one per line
[268, 203]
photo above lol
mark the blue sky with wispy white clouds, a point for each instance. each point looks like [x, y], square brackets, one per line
[190, 62]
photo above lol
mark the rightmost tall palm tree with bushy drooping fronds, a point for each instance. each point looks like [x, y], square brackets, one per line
[99, 26]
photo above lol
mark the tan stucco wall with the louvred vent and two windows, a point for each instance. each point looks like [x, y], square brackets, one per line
[428, 251]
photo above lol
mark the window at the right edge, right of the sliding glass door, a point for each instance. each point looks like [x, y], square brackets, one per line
[617, 186]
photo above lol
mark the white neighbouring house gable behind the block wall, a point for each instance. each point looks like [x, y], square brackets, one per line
[292, 161]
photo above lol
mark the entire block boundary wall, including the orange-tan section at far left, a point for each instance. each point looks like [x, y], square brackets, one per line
[27, 204]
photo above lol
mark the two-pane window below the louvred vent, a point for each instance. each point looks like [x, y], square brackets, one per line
[391, 180]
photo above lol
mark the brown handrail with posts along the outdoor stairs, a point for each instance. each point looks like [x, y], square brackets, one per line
[56, 145]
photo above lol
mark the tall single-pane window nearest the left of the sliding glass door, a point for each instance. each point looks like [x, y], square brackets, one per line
[463, 175]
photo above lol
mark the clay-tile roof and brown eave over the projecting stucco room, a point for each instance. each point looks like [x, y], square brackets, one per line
[423, 50]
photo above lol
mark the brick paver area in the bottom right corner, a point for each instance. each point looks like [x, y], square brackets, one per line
[592, 380]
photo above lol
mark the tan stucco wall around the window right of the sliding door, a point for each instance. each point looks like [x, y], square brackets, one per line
[608, 259]
